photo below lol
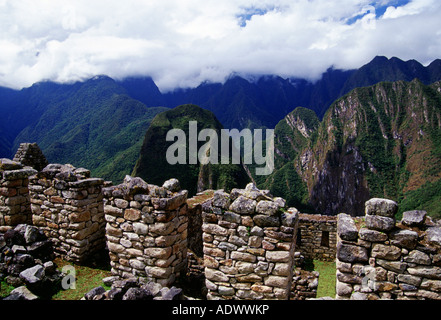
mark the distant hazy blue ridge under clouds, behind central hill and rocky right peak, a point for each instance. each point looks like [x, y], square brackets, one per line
[264, 101]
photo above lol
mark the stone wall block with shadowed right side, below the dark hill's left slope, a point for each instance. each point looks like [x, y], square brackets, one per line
[147, 229]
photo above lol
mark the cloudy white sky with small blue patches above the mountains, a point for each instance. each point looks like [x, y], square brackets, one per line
[181, 43]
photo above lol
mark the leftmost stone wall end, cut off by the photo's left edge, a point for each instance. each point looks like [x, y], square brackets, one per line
[15, 205]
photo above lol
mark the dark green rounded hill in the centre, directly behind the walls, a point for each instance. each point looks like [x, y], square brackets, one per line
[154, 167]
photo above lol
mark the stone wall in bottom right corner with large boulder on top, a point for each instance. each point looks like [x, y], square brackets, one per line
[379, 258]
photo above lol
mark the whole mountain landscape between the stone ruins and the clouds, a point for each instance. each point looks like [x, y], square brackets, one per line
[350, 136]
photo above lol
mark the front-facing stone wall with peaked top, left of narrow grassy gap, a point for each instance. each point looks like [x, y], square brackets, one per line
[249, 243]
